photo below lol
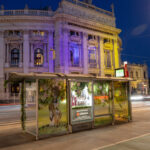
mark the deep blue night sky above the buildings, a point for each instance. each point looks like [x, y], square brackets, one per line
[132, 17]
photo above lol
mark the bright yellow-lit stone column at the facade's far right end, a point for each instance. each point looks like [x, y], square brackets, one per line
[116, 53]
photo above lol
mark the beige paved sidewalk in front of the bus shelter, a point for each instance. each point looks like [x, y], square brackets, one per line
[86, 140]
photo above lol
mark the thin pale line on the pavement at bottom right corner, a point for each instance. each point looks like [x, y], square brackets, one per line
[99, 148]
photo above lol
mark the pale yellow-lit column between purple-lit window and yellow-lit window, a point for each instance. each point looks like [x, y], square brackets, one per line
[102, 56]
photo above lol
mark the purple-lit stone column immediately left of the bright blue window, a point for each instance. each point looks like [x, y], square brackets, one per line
[66, 51]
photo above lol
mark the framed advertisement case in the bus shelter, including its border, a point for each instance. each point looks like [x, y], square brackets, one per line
[81, 104]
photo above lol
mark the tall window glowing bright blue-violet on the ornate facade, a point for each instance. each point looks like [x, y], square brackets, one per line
[74, 50]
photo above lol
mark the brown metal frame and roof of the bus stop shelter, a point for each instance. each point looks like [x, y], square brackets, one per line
[69, 78]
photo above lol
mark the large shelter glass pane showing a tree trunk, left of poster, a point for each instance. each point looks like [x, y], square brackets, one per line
[52, 106]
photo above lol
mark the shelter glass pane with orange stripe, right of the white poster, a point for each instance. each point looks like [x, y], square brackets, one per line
[102, 102]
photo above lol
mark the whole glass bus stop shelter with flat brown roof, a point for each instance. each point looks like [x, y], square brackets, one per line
[55, 104]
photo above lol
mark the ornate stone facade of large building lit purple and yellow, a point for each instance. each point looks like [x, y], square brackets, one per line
[85, 40]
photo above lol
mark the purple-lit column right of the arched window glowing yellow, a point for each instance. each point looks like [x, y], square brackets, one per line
[50, 52]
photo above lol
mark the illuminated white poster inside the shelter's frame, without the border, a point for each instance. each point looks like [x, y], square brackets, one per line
[81, 101]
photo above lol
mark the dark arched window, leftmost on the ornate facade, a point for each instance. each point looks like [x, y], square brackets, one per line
[15, 57]
